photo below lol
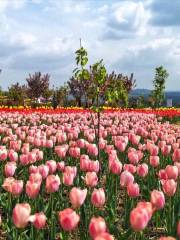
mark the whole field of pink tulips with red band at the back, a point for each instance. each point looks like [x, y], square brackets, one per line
[66, 175]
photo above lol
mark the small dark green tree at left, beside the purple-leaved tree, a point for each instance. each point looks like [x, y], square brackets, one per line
[17, 93]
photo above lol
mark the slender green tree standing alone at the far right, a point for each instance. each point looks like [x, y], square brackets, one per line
[158, 93]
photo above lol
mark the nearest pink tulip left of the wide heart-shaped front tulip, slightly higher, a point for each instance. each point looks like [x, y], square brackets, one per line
[52, 183]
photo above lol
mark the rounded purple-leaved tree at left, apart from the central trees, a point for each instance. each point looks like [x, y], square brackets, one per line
[38, 85]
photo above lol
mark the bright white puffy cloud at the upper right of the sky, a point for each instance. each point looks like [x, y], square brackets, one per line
[127, 19]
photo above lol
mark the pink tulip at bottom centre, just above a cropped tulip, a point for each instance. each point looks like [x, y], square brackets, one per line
[97, 226]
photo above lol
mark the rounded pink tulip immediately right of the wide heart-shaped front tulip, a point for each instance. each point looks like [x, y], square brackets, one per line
[98, 197]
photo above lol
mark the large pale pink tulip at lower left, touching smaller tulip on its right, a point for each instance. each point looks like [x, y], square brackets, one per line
[21, 214]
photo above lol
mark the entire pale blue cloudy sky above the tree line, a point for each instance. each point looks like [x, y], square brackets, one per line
[130, 35]
